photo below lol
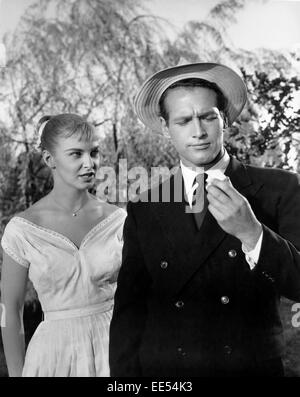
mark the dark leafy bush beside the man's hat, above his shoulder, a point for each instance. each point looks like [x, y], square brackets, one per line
[269, 127]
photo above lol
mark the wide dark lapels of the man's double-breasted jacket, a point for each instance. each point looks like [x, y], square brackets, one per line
[190, 249]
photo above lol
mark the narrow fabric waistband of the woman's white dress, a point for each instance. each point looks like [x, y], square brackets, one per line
[78, 312]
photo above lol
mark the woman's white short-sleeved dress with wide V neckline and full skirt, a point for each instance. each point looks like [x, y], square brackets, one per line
[75, 287]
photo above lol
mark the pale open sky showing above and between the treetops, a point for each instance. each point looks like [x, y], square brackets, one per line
[263, 23]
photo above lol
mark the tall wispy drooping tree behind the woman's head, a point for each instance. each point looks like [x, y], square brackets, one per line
[87, 60]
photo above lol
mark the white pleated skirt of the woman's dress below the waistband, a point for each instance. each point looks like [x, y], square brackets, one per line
[72, 347]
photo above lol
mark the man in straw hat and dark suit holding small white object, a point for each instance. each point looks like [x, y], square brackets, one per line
[198, 290]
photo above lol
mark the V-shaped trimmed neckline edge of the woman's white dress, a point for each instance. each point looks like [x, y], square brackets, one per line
[86, 237]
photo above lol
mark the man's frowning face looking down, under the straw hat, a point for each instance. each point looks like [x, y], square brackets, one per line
[195, 124]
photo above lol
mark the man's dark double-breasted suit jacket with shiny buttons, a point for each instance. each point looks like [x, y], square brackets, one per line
[187, 303]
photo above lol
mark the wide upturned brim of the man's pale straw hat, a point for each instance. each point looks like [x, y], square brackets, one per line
[146, 103]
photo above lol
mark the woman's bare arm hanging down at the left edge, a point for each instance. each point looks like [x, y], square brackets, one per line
[13, 288]
